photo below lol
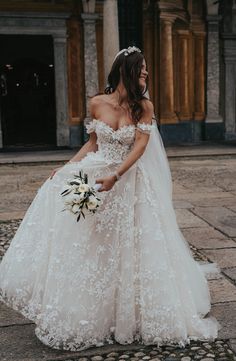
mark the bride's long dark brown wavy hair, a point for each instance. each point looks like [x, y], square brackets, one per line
[129, 68]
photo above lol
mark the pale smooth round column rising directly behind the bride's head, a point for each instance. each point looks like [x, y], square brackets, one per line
[110, 34]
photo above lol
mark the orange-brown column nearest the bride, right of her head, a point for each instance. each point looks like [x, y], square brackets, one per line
[167, 111]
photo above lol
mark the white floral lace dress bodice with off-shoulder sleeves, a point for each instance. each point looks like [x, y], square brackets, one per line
[114, 145]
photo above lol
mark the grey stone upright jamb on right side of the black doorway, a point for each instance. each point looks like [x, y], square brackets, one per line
[60, 61]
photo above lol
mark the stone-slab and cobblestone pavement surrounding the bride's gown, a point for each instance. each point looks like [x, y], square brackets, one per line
[205, 203]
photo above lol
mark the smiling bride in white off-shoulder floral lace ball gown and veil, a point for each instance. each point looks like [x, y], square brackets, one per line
[122, 274]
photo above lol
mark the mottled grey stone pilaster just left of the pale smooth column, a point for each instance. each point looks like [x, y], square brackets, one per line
[90, 58]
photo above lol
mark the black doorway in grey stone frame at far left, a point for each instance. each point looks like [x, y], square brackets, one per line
[27, 100]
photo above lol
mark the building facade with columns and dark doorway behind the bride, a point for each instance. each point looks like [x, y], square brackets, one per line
[55, 54]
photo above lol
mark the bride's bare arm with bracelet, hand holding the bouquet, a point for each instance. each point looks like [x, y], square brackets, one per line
[140, 143]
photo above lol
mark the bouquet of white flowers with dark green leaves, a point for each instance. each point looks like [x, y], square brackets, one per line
[79, 197]
